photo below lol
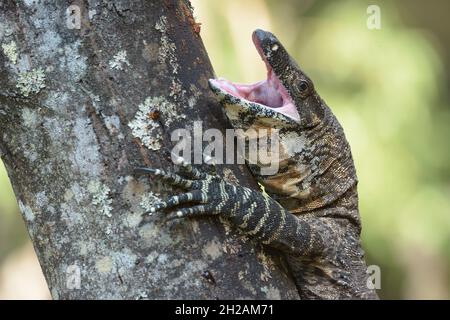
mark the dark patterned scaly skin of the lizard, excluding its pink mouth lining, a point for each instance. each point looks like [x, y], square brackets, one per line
[310, 212]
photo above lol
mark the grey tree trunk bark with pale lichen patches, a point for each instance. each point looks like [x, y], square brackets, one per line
[81, 105]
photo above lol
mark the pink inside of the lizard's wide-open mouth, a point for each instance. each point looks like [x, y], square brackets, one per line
[269, 93]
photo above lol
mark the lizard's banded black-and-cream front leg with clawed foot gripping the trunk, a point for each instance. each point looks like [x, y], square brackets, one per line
[254, 213]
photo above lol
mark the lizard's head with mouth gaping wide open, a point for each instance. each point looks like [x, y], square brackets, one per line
[287, 96]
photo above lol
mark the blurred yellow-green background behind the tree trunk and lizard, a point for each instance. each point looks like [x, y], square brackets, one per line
[390, 90]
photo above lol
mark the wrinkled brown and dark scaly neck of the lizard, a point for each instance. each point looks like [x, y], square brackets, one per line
[317, 172]
